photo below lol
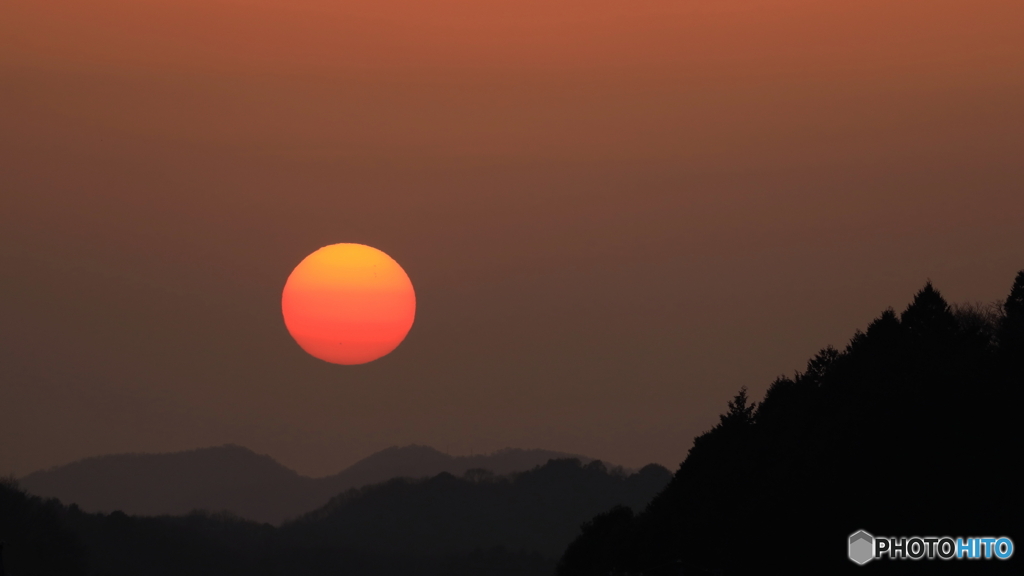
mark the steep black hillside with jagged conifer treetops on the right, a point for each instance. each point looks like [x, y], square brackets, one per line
[914, 430]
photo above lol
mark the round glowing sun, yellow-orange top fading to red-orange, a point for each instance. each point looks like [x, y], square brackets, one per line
[349, 304]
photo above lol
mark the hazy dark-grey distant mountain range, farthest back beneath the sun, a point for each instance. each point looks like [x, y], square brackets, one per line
[252, 486]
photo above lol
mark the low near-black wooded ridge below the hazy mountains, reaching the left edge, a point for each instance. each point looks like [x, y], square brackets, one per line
[477, 524]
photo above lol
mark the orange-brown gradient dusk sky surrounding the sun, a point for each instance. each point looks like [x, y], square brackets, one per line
[615, 214]
